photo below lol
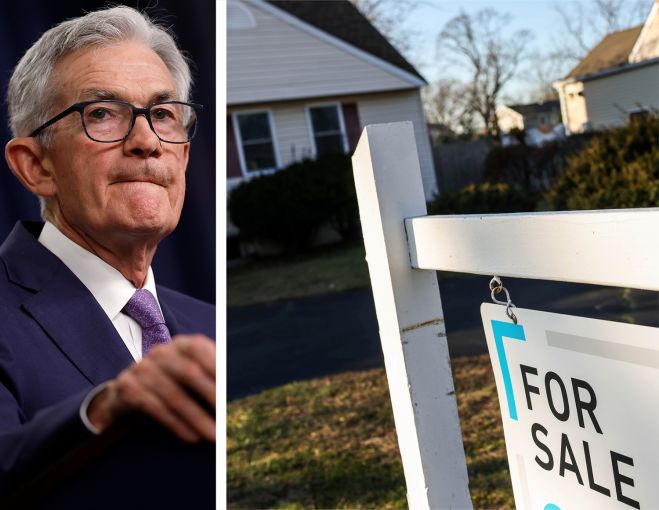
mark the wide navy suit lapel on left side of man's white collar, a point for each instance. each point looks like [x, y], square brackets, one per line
[65, 309]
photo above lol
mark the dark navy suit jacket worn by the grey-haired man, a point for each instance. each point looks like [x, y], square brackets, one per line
[56, 344]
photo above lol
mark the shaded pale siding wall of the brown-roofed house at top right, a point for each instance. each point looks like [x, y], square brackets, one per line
[610, 99]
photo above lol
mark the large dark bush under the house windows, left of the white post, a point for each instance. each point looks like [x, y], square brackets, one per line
[289, 206]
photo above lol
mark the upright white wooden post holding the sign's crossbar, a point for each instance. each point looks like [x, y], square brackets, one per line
[411, 321]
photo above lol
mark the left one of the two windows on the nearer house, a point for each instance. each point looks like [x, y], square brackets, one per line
[256, 141]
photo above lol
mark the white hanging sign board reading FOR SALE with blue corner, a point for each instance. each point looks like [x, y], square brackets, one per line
[580, 409]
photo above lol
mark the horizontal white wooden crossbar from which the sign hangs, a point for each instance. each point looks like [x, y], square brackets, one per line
[613, 247]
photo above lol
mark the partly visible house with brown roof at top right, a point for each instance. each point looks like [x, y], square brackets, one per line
[618, 79]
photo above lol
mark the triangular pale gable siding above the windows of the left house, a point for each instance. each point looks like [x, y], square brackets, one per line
[278, 61]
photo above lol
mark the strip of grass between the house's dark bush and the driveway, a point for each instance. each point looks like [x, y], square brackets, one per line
[327, 269]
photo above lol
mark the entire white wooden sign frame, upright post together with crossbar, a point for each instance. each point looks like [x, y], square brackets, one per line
[404, 247]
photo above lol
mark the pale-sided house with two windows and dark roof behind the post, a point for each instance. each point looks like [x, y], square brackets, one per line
[304, 78]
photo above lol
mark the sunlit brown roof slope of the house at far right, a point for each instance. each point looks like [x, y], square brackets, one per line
[612, 51]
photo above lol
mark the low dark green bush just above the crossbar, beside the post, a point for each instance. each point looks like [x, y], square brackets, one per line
[484, 198]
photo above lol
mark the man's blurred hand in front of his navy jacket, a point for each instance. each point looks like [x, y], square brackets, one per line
[171, 385]
